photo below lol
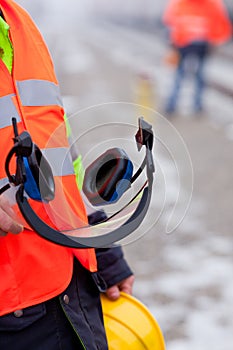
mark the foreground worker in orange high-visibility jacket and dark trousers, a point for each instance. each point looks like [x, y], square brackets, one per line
[49, 294]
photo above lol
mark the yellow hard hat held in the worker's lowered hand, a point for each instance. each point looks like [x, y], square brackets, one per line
[130, 325]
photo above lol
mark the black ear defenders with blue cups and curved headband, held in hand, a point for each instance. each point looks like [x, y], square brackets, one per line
[105, 181]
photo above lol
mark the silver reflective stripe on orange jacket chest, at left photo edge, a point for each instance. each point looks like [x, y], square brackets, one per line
[7, 111]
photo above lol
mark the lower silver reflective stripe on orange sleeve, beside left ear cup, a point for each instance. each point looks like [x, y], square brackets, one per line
[59, 160]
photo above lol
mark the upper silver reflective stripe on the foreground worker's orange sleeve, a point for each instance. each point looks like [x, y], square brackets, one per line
[39, 93]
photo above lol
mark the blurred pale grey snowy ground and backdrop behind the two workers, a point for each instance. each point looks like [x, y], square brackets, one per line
[111, 59]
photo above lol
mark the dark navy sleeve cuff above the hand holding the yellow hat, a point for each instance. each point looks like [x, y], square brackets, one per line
[112, 266]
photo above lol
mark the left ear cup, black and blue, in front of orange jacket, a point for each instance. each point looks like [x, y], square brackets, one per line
[40, 182]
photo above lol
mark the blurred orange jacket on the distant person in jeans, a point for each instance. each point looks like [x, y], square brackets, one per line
[197, 20]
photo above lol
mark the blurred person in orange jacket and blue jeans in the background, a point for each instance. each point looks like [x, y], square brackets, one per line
[194, 27]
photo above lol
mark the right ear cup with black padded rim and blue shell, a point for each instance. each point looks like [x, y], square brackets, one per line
[108, 177]
